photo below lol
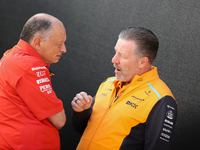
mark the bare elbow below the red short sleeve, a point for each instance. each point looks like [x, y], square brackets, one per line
[58, 120]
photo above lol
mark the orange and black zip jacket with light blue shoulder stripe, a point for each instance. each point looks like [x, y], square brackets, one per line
[141, 116]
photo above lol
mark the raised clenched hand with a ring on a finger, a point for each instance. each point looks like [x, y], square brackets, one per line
[81, 102]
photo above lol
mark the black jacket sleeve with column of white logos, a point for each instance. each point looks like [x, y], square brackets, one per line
[160, 124]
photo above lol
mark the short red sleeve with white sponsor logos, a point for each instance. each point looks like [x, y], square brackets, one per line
[35, 89]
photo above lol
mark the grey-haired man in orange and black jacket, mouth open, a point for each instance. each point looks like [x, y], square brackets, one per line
[135, 110]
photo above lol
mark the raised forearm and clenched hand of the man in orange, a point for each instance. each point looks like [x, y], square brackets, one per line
[82, 110]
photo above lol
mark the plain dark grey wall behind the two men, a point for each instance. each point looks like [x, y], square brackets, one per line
[92, 28]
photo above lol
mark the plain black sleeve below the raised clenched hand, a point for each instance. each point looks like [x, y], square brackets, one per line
[80, 119]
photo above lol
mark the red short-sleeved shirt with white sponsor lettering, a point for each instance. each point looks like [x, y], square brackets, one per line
[26, 100]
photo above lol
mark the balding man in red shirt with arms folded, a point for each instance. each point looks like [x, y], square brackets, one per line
[30, 112]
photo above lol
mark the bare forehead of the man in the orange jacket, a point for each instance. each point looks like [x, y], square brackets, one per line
[124, 46]
